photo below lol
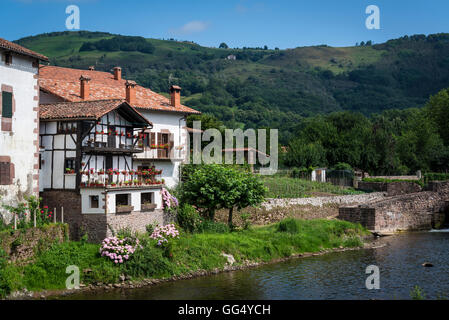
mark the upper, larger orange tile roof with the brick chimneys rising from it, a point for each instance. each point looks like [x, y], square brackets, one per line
[65, 83]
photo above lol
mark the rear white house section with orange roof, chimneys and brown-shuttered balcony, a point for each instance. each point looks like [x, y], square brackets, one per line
[164, 145]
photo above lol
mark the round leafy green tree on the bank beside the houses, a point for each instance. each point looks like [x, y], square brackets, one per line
[212, 187]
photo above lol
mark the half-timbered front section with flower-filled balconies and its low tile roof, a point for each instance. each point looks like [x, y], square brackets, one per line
[87, 166]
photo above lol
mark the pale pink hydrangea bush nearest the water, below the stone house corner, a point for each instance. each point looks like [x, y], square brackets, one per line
[119, 250]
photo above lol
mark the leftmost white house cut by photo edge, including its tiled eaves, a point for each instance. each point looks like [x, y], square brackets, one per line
[19, 114]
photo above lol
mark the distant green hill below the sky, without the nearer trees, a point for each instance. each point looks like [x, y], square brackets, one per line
[262, 87]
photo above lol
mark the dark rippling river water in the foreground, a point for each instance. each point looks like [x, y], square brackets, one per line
[339, 275]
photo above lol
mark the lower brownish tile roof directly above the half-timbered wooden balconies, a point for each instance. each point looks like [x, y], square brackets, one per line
[87, 110]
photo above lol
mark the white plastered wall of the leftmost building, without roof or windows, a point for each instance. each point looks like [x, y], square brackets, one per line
[21, 143]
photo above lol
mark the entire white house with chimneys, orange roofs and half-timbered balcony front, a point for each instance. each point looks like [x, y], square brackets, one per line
[131, 131]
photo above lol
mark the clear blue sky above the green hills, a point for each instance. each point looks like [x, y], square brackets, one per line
[275, 23]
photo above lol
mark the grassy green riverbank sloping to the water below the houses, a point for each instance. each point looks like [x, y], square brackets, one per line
[192, 255]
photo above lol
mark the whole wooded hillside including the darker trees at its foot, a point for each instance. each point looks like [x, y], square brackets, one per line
[362, 105]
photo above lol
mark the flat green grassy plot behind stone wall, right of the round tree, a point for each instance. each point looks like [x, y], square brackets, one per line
[286, 187]
